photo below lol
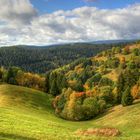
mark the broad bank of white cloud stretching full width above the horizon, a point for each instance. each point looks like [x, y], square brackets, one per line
[81, 24]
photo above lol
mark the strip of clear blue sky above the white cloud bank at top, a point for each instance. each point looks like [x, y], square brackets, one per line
[53, 5]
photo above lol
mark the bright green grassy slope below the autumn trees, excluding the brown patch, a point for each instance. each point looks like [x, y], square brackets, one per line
[26, 114]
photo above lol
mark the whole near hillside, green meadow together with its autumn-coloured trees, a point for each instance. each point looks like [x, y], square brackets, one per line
[90, 98]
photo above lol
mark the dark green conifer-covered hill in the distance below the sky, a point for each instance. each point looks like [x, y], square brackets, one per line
[42, 59]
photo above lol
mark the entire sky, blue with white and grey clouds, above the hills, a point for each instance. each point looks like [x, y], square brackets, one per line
[45, 22]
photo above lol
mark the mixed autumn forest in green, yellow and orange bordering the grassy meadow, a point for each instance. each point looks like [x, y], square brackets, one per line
[88, 86]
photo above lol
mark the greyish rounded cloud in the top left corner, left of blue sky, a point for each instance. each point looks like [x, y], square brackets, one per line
[17, 11]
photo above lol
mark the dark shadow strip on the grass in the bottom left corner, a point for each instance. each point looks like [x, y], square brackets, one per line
[14, 137]
